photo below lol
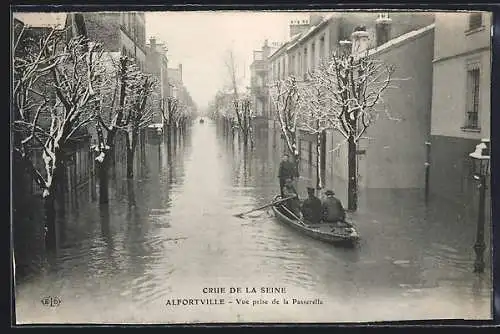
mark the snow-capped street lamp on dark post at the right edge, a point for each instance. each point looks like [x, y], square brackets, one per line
[481, 163]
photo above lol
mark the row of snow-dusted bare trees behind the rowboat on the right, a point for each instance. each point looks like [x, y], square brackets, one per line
[345, 94]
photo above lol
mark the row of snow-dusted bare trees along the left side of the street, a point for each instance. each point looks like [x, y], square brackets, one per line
[63, 87]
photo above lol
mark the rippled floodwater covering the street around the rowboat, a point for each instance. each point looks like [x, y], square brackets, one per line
[171, 234]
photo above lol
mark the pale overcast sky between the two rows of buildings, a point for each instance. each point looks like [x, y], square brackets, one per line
[201, 41]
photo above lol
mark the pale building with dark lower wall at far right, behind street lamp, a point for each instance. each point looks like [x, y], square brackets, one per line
[461, 107]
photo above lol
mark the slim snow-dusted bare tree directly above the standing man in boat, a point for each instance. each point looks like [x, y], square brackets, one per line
[285, 96]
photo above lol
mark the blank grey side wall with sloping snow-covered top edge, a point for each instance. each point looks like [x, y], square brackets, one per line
[392, 153]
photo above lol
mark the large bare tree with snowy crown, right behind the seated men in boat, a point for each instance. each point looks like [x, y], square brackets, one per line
[354, 85]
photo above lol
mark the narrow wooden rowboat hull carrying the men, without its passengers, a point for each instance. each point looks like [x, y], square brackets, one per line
[328, 232]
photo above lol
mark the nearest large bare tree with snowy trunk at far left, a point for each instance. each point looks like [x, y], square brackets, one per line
[53, 90]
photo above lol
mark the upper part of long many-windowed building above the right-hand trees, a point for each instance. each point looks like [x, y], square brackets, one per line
[315, 39]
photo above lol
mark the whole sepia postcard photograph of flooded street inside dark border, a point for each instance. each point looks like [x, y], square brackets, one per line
[250, 166]
